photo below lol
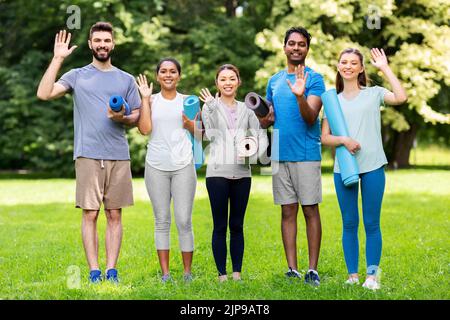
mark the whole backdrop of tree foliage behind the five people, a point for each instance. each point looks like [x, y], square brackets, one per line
[203, 35]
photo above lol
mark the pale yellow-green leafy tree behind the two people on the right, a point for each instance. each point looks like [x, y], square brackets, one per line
[414, 34]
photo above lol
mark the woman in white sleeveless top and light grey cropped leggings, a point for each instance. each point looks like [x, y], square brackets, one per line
[169, 168]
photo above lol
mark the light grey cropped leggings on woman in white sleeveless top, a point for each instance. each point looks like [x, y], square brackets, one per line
[180, 185]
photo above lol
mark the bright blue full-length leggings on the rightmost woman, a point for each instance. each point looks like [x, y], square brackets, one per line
[372, 190]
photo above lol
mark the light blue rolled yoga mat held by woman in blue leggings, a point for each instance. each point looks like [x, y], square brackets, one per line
[347, 161]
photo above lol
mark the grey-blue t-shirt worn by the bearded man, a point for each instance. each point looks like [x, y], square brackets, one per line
[96, 136]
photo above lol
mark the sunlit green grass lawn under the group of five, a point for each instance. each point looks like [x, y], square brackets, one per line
[41, 249]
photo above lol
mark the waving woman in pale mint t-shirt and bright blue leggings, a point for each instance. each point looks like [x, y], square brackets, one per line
[361, 108]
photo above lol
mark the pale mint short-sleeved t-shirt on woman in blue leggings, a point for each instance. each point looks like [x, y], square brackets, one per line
[362, 115]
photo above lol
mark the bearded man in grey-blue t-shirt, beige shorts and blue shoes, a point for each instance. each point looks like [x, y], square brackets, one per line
[101, 153]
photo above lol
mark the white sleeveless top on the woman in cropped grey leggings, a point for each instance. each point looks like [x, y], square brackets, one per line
[169, 147]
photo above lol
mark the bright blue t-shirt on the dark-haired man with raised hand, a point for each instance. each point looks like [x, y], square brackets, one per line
[293, 139]
